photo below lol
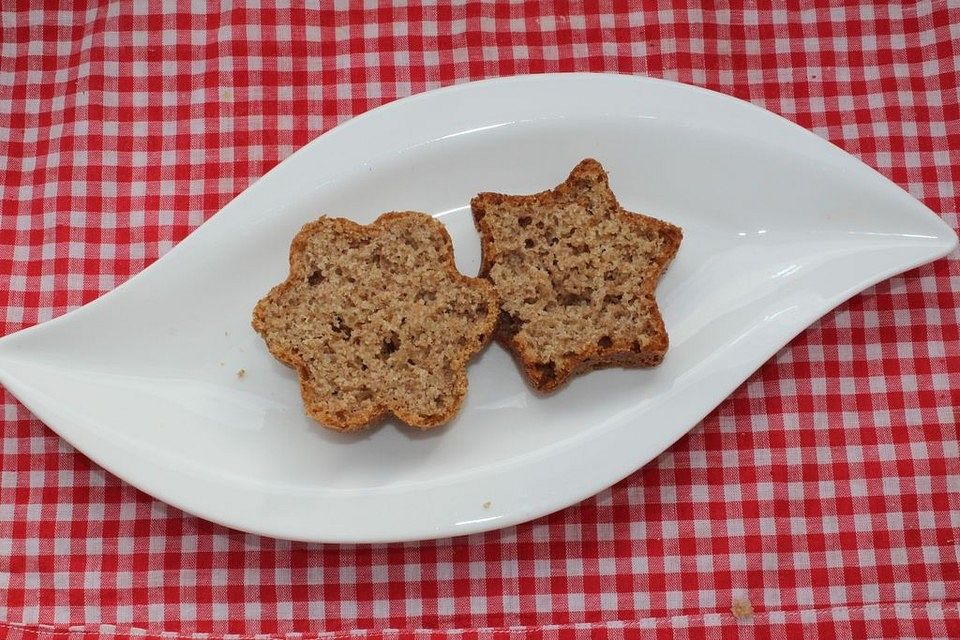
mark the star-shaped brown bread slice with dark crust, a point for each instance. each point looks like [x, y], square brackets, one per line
[576, 275]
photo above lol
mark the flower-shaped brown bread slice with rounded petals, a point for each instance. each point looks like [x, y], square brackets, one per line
[377, 320]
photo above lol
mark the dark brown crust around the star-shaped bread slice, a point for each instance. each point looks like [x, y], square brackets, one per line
[620, 351]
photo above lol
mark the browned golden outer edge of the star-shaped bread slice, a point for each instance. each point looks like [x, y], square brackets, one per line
[617, 353]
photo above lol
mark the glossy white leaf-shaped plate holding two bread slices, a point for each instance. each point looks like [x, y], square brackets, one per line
[779, 227]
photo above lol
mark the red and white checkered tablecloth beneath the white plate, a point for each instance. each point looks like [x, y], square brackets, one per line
[825, 492]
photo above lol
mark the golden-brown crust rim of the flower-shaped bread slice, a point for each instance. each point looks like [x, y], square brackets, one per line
[316, 404]
